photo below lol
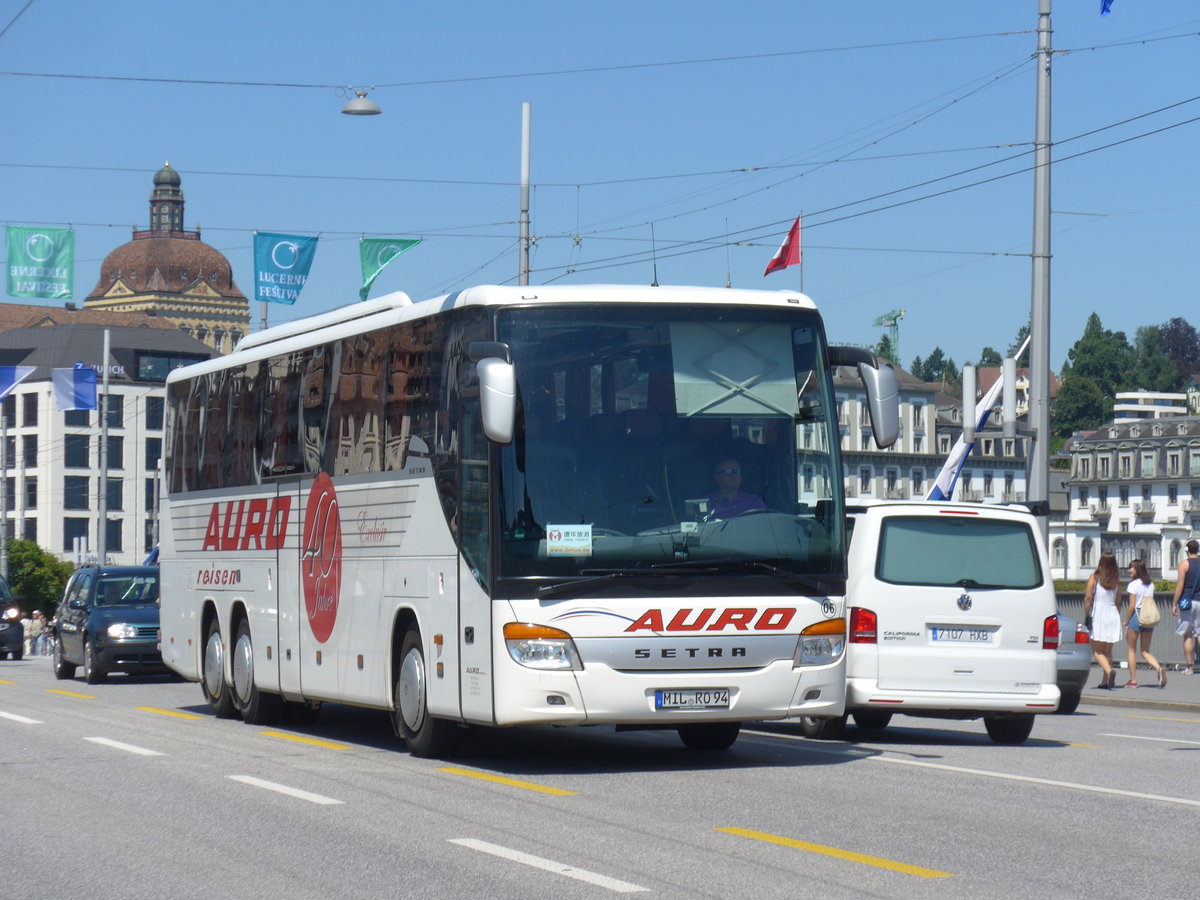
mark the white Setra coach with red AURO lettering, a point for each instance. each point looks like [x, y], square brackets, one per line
[518, 506]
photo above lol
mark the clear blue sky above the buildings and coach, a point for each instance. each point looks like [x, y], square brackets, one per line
[832, 105]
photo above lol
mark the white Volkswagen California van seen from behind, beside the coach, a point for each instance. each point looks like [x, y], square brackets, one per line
[952, 615]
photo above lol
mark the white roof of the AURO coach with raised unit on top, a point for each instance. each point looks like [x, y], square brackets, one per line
[391, 309]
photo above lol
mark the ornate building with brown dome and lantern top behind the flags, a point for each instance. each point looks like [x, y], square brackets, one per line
[170, 272]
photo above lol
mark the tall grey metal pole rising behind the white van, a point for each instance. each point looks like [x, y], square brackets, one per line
[1040, 305]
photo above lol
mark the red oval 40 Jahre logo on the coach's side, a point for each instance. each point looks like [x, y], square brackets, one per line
[321, 559]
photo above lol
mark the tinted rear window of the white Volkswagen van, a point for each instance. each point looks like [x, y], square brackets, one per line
[958, 550]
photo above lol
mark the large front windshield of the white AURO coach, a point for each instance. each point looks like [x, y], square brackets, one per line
[665, 436]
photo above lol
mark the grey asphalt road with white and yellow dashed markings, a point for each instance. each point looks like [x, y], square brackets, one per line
[131, 790]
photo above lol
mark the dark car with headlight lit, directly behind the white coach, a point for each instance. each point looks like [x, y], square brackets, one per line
[109, 622]
